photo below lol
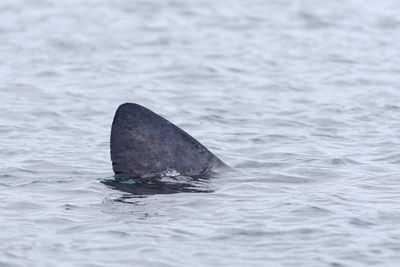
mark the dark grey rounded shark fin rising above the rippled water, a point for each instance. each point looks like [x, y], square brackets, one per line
[144, 143]
